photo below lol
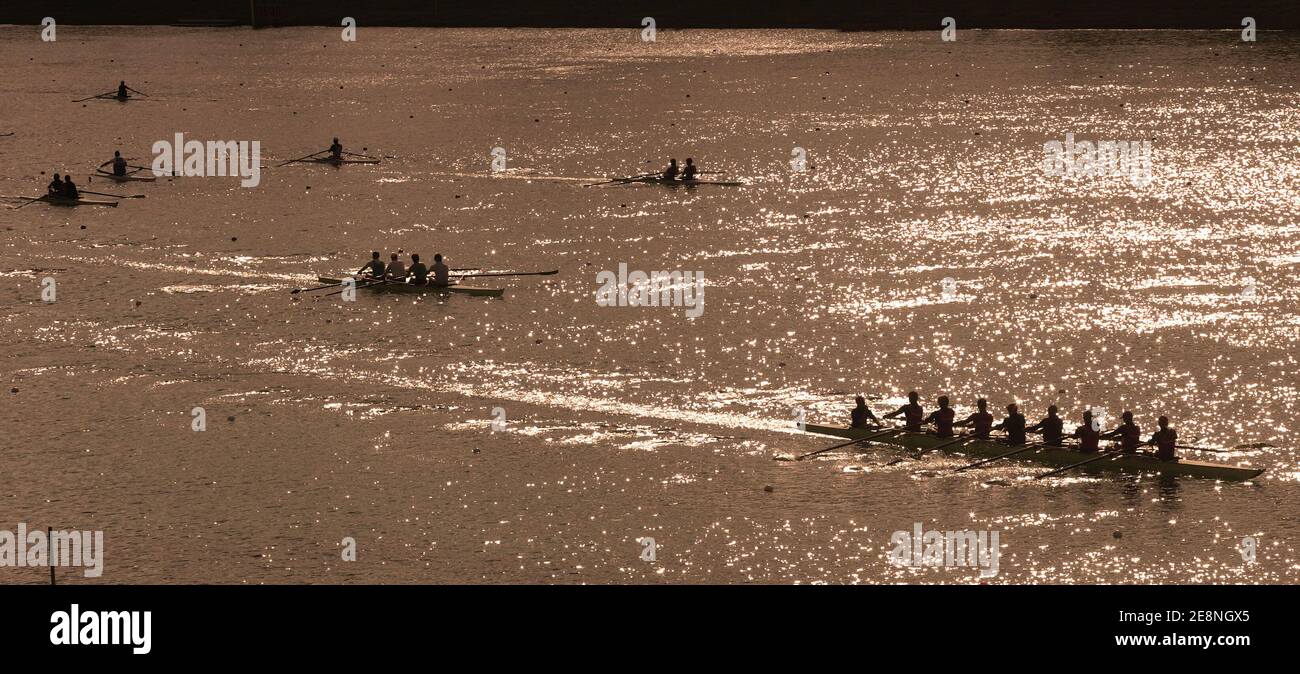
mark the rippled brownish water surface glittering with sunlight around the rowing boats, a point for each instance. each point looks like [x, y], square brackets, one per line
[372, 420]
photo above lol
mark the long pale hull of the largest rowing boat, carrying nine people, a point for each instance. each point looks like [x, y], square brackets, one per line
[1138, 463]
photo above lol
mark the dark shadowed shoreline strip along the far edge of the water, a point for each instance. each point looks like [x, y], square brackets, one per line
[900, 15]
